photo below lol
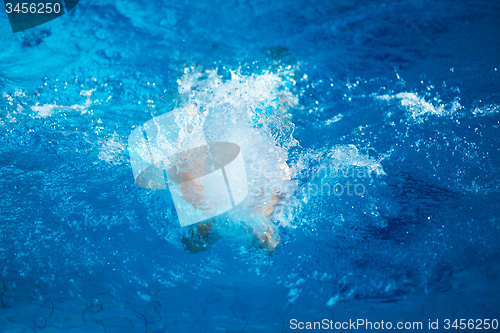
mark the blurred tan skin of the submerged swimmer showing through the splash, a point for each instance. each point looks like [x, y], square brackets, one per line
[255, 214]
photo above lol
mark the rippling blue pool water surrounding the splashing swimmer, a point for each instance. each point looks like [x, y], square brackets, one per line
[396, 101]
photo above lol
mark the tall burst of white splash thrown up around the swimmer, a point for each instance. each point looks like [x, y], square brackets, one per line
[251, 111]
